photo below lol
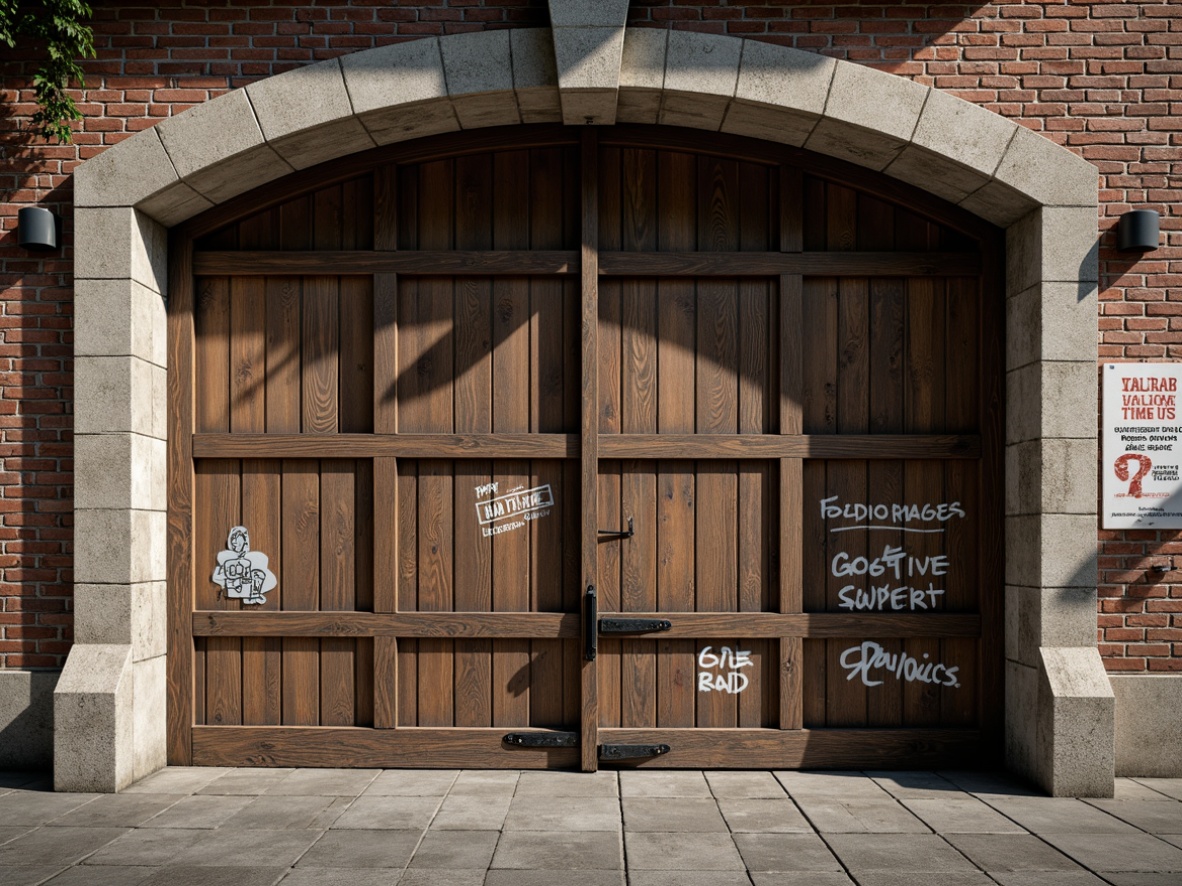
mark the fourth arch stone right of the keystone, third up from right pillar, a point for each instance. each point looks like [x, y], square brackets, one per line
[869, 116]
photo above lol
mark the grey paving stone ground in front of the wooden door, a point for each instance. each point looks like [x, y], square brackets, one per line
[321, 828]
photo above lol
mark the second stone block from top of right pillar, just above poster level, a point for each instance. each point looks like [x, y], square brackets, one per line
[1051, 322]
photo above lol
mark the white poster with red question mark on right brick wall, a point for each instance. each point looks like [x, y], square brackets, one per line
[1142, 452]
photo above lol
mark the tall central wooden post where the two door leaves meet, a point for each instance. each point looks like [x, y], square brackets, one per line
[589, 425]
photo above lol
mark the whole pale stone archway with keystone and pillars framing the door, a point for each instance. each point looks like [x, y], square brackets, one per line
[112, 700]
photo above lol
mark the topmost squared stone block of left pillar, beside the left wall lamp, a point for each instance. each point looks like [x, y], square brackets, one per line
[121, 244]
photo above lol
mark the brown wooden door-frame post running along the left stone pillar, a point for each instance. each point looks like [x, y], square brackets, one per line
[181, 660]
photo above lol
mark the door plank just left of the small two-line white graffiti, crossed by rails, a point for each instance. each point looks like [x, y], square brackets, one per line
[677, 490]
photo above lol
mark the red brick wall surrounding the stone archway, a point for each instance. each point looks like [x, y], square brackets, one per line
[1096, 77]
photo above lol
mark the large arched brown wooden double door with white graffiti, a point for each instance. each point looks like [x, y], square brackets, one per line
[545, 448]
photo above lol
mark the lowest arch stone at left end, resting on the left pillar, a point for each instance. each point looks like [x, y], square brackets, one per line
[126, 174]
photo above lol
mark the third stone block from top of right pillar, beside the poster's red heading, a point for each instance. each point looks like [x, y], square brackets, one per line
[1051, 400]
